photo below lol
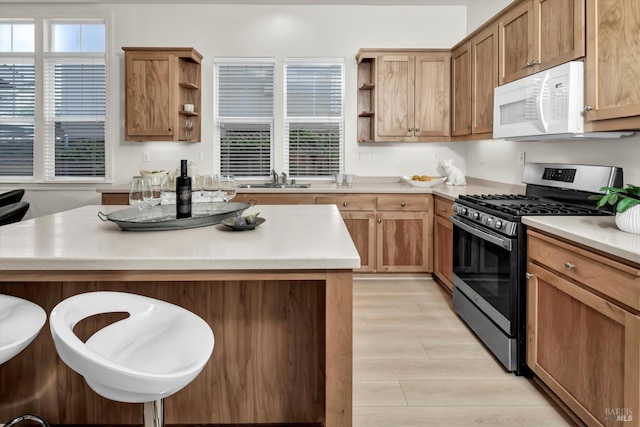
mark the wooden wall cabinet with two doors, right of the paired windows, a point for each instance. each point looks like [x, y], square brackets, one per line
[408, 97]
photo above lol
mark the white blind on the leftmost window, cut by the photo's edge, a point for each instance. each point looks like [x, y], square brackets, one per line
[17, 110]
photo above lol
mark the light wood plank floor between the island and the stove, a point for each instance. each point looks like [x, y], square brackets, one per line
[415, 363]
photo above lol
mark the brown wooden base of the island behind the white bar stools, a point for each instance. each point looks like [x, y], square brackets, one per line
[270, 364]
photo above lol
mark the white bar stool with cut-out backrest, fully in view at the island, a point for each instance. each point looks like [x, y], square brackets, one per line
[152, 354]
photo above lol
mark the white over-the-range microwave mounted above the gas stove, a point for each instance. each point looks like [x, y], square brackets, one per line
[545, 105]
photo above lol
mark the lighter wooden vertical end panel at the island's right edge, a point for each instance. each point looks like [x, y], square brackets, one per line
[339, 349]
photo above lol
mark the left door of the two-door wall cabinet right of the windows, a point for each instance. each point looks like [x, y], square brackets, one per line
[394, 96]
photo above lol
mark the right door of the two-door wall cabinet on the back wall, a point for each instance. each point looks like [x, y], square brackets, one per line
[432, 95]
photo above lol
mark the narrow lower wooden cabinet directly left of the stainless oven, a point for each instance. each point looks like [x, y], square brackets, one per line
[443, 242]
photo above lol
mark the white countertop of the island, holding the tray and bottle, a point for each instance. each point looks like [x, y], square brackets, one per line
[293, 237]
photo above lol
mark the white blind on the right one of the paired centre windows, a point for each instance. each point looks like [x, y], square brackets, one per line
[314, 118]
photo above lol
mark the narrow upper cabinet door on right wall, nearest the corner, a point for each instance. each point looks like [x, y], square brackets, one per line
[461, 90]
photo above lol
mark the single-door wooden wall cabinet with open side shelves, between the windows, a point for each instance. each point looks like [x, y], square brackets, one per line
[158, 83]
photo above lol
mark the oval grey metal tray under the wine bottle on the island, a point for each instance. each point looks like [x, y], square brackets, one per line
[163, 217]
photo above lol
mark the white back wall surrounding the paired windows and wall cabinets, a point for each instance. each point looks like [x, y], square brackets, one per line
[251, 30]
